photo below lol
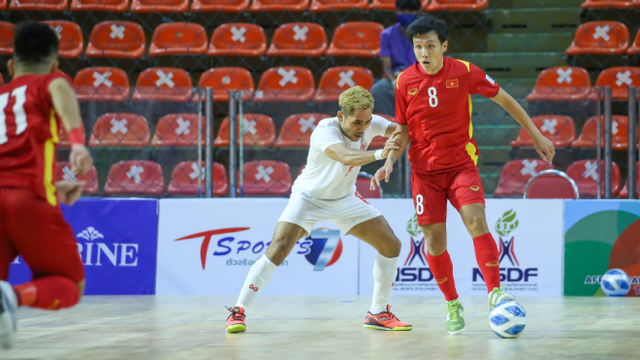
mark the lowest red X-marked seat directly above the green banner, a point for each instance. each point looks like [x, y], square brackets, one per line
[585, 174]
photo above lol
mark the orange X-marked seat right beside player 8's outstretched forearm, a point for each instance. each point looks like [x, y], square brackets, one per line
[561, 130]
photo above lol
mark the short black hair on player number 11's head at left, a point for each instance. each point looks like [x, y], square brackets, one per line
[34, 43]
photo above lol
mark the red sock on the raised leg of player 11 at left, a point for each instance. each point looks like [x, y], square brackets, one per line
[49, 293]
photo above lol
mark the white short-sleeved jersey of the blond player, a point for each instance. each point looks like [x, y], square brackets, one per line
[327, 179]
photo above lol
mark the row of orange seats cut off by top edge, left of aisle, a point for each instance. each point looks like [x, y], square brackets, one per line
[234, 6]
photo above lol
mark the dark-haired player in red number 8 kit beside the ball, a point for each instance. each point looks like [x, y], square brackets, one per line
[433, 107]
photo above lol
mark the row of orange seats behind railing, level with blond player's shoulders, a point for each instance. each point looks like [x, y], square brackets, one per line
[181, 130]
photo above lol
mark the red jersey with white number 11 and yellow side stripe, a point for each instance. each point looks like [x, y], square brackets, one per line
[29, 134]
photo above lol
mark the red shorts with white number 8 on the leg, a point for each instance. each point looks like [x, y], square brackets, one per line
[431, 192]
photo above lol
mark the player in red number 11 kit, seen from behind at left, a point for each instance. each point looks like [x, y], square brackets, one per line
[33, 107]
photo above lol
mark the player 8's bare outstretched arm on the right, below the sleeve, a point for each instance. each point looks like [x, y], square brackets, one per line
[543, 146]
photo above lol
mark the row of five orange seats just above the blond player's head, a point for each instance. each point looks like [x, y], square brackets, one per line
[286, 83]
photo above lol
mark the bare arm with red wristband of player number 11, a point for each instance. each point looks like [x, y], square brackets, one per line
[66, 105]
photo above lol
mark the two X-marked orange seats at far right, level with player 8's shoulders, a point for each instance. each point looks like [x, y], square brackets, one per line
[568, 83]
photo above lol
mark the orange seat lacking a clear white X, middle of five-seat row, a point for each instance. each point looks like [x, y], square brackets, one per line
[224, 79]
